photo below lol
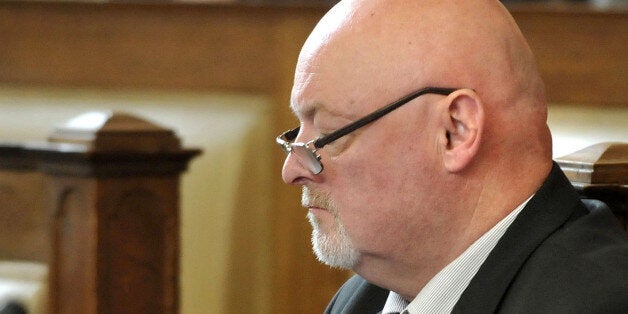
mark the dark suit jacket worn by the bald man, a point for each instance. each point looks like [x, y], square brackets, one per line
[558, 256]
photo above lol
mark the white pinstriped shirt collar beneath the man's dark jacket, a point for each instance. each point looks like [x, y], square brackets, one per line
[442, 292]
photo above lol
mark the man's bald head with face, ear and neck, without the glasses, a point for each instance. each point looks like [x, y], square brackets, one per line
[440, 171]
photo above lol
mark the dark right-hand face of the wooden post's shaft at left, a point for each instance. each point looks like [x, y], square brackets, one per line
[138, 256]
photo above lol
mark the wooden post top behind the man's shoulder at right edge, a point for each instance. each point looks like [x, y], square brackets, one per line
[601, 172]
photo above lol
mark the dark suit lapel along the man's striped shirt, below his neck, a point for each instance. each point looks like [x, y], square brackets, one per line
[550, 208]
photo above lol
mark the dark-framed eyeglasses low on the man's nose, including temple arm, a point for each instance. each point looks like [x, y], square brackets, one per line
[306, 152]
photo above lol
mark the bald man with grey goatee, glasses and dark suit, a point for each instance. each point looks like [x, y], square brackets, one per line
[425, 162]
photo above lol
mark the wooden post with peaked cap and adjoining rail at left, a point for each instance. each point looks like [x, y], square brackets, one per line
[110, 218]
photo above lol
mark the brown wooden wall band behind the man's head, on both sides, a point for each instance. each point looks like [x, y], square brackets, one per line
[243, 48]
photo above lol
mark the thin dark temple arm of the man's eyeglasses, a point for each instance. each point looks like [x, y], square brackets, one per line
[379, 113]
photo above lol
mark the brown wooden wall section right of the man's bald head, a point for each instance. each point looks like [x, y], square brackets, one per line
[581, 53]
